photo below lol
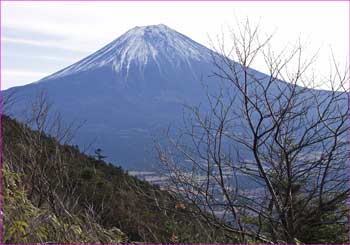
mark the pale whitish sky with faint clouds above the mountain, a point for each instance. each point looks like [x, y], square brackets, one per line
[39, 38]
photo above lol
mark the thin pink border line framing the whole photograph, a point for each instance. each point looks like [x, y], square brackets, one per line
[1, 142]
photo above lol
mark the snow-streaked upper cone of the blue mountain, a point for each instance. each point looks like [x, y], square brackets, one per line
[156, 44]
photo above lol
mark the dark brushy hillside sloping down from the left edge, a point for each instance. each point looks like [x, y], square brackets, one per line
[53, 193]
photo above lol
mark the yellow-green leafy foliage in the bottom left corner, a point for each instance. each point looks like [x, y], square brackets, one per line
[25, 223]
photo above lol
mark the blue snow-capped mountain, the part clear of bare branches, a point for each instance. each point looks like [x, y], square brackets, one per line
[127, 92]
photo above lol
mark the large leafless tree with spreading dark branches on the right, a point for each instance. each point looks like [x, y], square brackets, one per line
[278, 132]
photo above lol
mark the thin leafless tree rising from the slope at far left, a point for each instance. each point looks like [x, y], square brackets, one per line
[42, 160]
